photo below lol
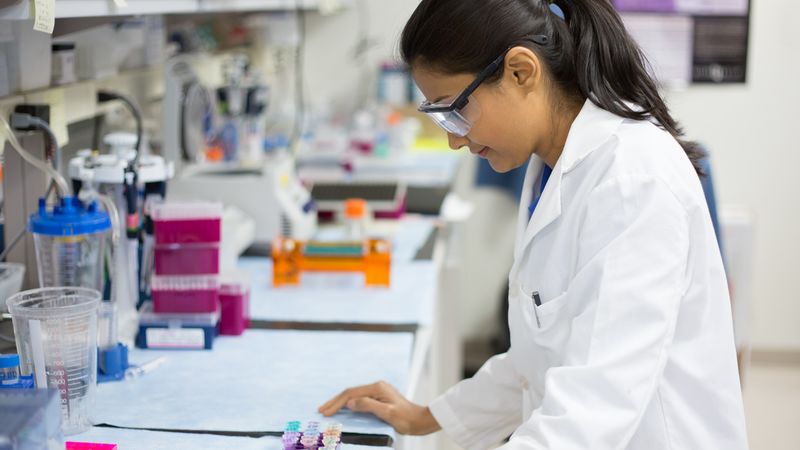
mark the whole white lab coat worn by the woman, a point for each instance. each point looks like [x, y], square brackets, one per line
[634, 345]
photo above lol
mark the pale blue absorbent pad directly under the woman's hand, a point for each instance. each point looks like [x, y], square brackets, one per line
[257, 382]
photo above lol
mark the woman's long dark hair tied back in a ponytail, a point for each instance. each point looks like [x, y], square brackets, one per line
[590, 54]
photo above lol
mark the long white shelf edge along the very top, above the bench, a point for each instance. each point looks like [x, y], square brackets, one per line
[21, 9]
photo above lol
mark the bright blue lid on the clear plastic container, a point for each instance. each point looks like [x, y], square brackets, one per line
[69, 218]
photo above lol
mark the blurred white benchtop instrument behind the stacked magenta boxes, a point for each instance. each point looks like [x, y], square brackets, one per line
[269, 193]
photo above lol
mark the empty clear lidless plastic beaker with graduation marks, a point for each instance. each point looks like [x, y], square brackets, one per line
[56, 332]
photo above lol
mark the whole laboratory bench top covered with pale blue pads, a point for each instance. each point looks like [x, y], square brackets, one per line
[306, 344]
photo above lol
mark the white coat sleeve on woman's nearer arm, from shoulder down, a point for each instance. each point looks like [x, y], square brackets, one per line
[632, 255]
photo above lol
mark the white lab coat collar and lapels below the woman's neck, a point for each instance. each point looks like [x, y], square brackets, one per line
[592, 128]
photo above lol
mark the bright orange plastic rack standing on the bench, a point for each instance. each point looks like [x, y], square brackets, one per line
[291, 257]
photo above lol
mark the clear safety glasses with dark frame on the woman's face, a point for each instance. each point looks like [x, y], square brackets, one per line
[457, 116]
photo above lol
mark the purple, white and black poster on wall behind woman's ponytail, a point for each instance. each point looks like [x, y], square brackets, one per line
[691, 41]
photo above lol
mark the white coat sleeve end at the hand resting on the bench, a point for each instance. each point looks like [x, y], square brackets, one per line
[483, 410]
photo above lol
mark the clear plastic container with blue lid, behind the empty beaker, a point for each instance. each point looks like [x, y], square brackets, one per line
[70, 241]
